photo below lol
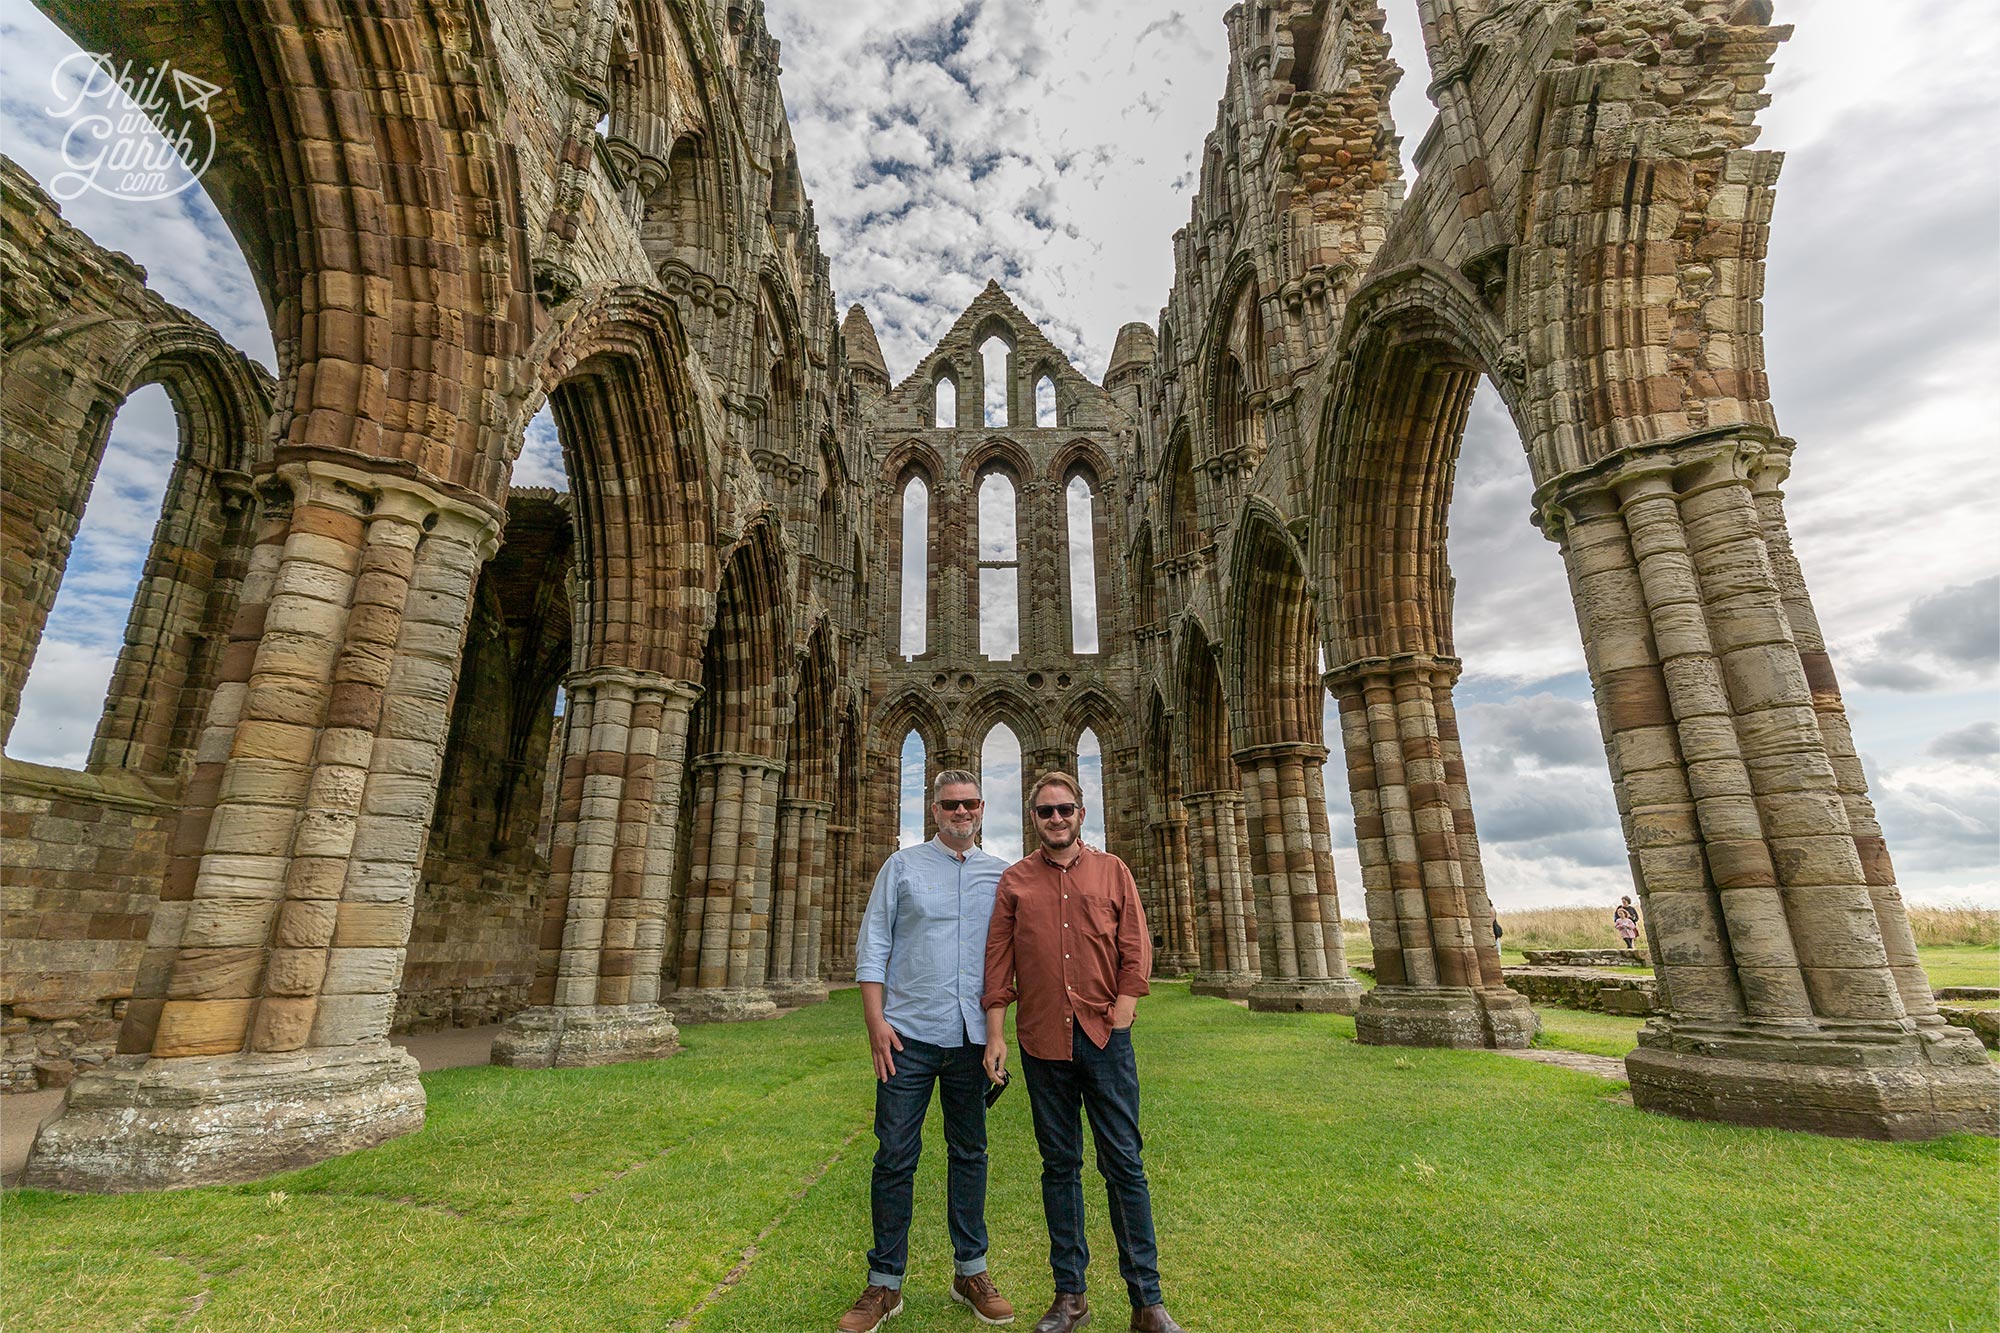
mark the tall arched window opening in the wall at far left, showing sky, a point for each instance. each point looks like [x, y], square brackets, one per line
[85, 635]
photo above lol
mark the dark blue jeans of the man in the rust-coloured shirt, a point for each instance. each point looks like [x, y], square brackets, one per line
[1105, 1084]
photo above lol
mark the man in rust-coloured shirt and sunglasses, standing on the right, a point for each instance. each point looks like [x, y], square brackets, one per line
[1069, 942]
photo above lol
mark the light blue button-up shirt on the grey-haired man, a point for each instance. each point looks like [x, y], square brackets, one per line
[925, 940]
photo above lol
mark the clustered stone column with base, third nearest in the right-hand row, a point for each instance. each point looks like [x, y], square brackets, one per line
[1303, 960]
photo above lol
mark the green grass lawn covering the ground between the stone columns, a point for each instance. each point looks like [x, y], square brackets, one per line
[1303, 1184]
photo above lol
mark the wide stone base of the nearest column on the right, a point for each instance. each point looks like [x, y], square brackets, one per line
[1853, 1080]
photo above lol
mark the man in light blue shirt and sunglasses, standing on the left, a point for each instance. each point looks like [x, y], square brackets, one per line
[921, 962]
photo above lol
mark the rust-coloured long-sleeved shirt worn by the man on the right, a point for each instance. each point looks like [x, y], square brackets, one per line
[1067, 942]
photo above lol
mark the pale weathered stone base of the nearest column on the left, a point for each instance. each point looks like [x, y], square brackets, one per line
[219, 1120]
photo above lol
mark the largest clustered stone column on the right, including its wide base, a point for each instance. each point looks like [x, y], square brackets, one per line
[1785, 994]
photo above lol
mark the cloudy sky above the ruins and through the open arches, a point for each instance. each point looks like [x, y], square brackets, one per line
[1053, 149]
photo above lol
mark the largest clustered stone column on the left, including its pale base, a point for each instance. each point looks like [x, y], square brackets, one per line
[265, 1038]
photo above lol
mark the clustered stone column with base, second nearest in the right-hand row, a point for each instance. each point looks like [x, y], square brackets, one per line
[1437, 964]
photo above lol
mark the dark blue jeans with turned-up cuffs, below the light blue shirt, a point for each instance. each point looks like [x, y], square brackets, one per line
[901, 1108]
